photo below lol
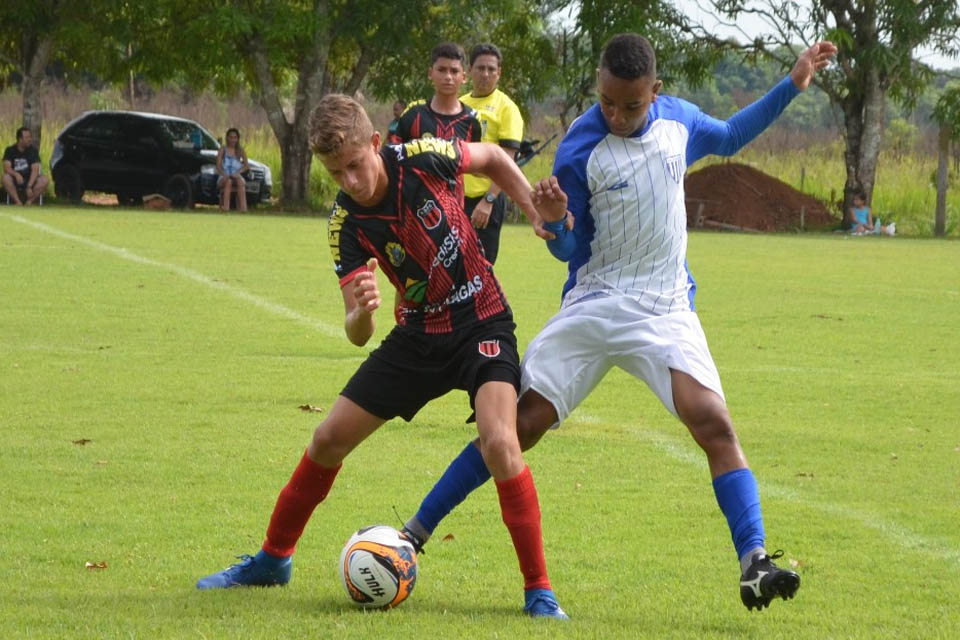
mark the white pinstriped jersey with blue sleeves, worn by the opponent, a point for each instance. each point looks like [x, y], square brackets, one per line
[627, 198]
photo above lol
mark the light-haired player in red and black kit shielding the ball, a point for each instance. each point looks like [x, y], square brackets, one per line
[402, 207]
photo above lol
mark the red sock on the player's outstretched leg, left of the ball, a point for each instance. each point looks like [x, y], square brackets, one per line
[308, 486]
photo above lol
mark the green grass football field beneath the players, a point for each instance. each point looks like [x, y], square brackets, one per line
[180, 346]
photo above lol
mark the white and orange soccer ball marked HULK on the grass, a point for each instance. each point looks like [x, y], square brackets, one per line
[378, 567]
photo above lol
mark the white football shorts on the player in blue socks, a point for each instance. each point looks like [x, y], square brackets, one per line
[577, 347]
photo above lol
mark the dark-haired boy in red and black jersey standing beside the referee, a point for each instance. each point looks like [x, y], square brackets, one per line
[443, 115]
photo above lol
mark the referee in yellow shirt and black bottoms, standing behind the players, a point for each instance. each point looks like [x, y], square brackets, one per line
[501, 124]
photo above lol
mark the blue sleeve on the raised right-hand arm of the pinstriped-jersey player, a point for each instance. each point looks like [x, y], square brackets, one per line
[725, 138]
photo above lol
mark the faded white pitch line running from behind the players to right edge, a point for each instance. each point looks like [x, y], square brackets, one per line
[896, 533]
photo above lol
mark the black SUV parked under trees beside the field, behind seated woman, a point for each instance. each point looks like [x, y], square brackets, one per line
[133, 154]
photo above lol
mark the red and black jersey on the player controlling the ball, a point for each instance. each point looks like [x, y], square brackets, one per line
[421, 238]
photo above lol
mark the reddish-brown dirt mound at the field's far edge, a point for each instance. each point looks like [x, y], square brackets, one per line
[738, 195]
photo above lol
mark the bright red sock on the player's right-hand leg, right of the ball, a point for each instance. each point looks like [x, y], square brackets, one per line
[521, 514]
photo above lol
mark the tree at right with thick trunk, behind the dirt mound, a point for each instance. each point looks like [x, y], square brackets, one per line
[877, 40]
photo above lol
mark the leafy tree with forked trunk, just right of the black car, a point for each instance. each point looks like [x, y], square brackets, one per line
[290, 53]
